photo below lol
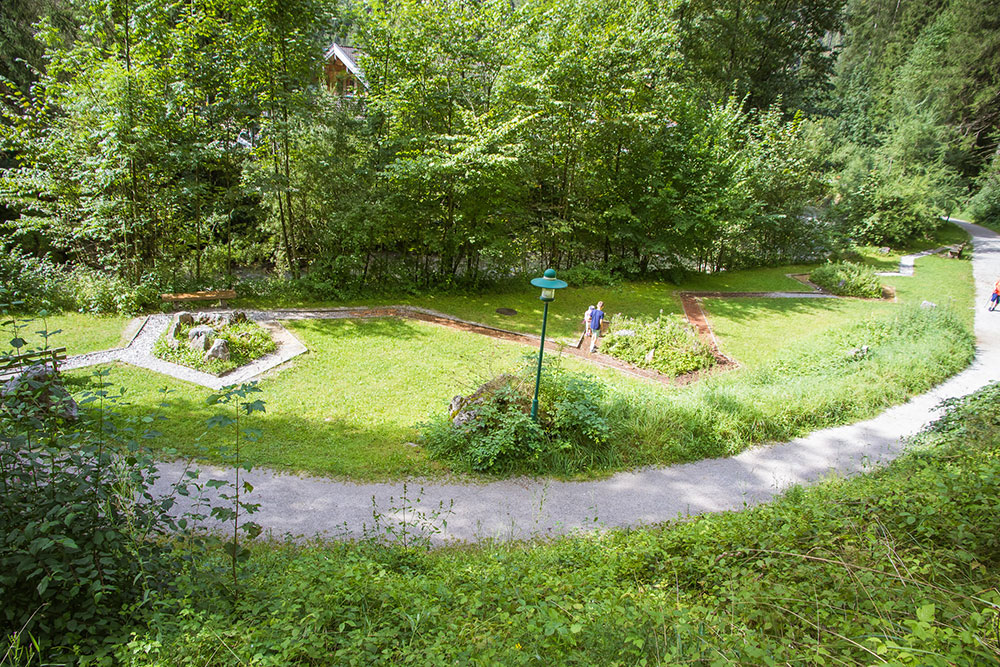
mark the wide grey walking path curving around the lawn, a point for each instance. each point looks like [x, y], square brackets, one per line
[522, 508]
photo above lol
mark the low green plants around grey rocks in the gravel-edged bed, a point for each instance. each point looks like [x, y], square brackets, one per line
[247, 342]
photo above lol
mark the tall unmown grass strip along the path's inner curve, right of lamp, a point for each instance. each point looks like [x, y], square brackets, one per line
[820, 384]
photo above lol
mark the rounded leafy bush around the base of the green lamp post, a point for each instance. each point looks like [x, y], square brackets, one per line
[492, 430]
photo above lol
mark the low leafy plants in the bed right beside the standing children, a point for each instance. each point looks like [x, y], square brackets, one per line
[676, 347]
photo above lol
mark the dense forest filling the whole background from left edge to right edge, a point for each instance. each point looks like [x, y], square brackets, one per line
[171, 145]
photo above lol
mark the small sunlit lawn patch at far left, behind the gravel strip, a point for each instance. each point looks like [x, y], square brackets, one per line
[77, 332]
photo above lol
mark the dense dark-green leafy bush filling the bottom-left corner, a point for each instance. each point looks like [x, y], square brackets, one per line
[80, 549]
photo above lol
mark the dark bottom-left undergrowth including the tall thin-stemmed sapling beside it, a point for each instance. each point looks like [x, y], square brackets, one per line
[86, 545]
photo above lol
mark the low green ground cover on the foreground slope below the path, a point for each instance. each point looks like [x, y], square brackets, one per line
[898, 566]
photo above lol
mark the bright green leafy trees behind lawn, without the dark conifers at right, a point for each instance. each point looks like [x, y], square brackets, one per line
[196, 141]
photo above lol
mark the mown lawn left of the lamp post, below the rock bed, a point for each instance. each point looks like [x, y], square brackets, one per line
[348, 407]
